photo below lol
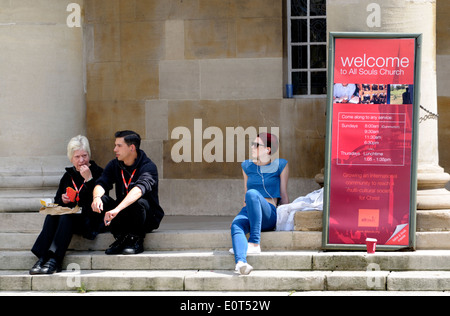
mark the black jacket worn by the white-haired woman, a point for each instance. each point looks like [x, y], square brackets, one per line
[92, 222]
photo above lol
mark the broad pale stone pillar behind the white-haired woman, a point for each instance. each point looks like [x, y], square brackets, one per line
[42, 103]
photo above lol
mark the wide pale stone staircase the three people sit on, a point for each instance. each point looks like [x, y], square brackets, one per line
[191, 254]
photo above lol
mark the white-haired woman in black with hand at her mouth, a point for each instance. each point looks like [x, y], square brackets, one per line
[52, 243]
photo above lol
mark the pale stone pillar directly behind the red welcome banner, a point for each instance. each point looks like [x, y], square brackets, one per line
[409, 16]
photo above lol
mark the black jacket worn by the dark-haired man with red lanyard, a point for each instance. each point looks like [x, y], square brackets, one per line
[145, 178]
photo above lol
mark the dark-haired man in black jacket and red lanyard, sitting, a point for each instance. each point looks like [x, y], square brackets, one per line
[136, 210]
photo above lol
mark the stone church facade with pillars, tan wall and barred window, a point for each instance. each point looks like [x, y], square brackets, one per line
[196, 79]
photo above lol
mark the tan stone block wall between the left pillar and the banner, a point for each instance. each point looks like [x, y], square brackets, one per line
[155, 66]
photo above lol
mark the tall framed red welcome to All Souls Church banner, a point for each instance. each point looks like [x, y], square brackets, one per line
[371, 141]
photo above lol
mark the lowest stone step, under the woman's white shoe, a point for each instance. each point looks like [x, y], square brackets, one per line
[226, 280]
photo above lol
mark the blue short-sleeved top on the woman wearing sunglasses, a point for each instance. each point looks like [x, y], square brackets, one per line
[268, 177]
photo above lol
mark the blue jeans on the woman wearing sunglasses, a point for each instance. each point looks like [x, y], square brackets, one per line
[258, 215]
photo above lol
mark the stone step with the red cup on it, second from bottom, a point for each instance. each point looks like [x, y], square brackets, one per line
[426, 260]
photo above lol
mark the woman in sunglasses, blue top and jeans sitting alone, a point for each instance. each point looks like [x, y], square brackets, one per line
[266, 188]
